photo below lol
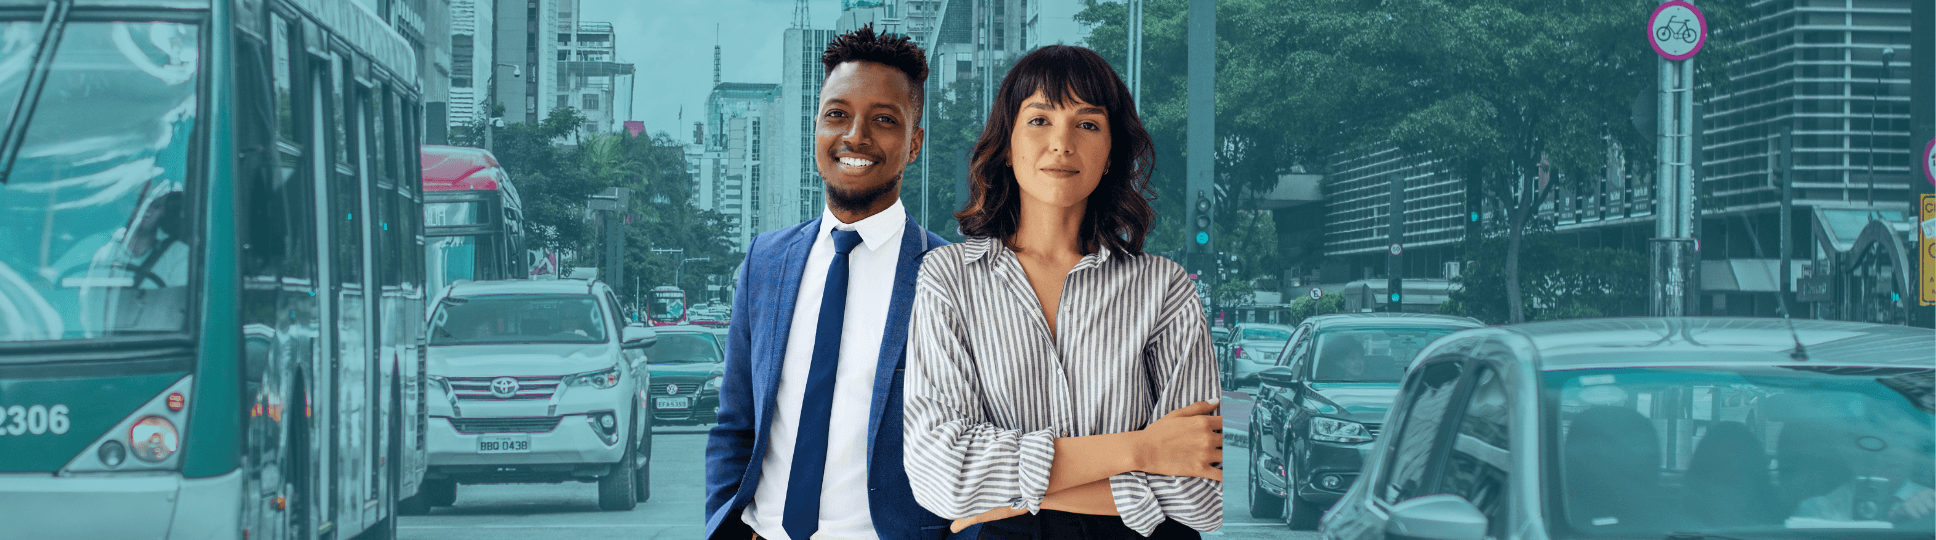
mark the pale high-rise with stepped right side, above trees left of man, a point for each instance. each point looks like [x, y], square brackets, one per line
[590, 76]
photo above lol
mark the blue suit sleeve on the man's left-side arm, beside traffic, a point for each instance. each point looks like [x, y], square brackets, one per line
[731, 442]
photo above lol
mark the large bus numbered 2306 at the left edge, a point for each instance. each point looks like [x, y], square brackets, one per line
[210, 270]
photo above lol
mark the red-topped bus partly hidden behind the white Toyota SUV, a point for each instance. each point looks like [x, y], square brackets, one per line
[473, 220]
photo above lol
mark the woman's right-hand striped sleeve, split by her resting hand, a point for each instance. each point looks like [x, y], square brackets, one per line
[1182, 357]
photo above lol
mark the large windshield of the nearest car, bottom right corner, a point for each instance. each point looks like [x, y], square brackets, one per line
[1743, 452]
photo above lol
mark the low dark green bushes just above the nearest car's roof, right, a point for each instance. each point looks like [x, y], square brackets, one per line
[1558, 282]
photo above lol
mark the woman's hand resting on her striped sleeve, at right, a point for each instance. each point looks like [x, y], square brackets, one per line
[1186, 442]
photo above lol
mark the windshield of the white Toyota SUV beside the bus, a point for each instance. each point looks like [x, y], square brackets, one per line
[518, 318]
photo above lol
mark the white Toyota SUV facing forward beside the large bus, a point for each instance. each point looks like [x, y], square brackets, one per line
[537, 382]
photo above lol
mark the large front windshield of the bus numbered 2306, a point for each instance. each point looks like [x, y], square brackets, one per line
[96, 222]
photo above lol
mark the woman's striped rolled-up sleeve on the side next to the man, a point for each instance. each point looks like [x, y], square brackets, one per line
[959, 464]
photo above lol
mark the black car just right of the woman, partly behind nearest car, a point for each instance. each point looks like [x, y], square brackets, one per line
[1321, 404]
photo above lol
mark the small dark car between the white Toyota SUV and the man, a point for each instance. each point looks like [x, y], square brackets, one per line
[686, 376]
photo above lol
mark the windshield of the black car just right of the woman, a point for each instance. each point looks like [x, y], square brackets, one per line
[1370, 355]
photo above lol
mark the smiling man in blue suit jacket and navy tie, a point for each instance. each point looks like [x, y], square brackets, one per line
[808, 440]
